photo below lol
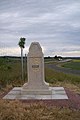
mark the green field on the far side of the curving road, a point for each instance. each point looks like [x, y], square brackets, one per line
[75, 64]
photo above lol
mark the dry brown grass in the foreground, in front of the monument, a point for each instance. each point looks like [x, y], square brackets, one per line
[15, 110]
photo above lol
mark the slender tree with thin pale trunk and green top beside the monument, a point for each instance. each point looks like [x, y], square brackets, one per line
[22, 45]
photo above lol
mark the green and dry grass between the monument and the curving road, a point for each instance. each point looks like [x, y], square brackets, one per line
[55, 78]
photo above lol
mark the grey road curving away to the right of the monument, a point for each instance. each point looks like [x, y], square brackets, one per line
[64, 70]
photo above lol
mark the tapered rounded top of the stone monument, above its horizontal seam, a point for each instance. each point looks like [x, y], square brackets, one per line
[35, 50]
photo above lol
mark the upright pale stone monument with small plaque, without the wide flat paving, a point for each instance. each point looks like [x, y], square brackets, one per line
[35, 65]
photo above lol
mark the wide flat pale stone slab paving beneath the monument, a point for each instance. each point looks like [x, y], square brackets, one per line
[56, 93]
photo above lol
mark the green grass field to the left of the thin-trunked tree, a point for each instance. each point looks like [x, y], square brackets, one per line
[10, 72]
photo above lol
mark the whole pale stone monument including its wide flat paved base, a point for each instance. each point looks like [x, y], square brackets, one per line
[36, 87]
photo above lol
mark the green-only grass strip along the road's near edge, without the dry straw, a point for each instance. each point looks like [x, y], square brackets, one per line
[53, 76]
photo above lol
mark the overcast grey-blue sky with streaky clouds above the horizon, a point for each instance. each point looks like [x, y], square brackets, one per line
[55, 24]
